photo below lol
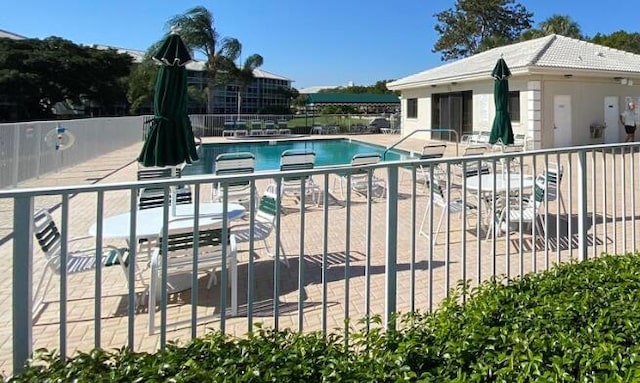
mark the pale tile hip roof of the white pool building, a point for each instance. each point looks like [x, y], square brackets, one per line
[553, 53]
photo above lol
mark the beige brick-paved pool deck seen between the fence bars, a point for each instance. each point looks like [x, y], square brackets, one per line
[511, 256]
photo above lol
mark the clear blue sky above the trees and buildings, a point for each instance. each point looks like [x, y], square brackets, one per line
[313, 43]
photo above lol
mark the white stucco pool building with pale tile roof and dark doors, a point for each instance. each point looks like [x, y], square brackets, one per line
[559, 88]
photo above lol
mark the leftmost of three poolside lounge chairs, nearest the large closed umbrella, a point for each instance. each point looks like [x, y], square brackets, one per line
[230, 164]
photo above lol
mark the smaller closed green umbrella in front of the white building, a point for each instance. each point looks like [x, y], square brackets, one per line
[501, 129]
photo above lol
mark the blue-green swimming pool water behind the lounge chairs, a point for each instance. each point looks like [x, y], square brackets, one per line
[328, 152]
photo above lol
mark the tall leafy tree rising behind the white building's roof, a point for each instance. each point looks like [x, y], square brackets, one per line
[473, 26]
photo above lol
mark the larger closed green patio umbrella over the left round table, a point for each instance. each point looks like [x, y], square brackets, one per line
[170, 140]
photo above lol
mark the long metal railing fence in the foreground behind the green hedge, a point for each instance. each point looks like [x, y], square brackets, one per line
[339, 250]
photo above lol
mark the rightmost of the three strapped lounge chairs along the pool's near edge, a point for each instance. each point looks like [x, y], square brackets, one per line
[360, 178]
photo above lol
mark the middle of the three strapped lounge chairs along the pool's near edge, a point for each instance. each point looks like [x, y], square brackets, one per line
[293, 159]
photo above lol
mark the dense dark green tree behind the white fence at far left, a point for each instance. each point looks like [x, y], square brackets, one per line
[37, 74]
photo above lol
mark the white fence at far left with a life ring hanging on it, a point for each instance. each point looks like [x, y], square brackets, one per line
[29, 150]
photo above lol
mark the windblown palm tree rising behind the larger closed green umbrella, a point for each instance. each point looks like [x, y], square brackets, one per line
[198, 32]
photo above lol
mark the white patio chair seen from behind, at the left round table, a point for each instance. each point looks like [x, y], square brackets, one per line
[179, 258]
